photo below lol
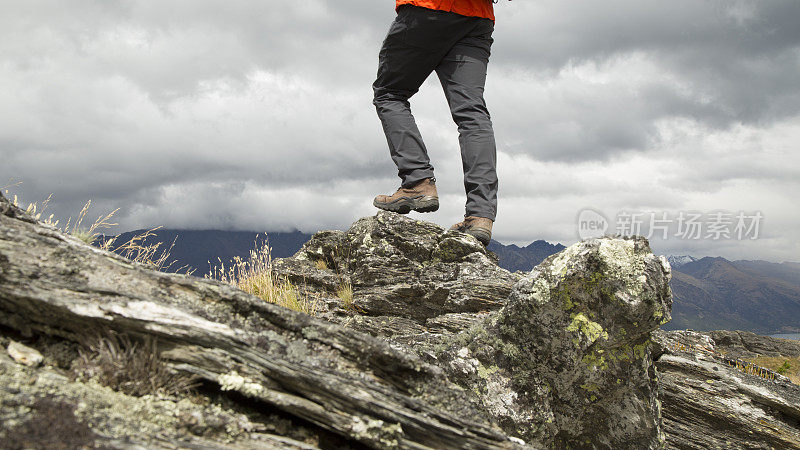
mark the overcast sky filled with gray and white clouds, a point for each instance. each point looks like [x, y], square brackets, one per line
[257, 115]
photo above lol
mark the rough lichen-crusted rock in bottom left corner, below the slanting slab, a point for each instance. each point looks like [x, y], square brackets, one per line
[117, 420]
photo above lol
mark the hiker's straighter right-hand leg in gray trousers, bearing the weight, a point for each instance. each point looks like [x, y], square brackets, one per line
[462, 73]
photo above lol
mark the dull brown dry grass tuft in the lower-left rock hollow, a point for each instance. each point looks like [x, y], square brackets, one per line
[130, 367]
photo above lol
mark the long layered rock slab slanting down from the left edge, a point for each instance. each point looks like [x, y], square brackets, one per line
[335, 380]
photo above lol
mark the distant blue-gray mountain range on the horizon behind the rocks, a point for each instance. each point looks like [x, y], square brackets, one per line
[709, 293]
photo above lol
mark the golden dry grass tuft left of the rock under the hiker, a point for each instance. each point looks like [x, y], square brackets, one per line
[256, 276]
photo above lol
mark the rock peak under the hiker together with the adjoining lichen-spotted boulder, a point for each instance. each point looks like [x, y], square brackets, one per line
[548, 362]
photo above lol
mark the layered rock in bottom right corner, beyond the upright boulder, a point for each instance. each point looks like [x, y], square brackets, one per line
[711, 400]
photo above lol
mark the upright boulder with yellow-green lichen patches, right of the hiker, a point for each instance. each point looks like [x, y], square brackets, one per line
[566, 360]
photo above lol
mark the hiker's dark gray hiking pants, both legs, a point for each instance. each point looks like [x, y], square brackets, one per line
[419, 42]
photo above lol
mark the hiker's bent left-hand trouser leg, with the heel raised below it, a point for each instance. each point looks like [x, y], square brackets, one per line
[409, 54]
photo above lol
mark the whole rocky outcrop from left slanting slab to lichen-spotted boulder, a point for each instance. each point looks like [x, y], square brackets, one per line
[466, 354]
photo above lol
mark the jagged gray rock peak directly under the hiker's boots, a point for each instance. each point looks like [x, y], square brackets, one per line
[400, 267]
